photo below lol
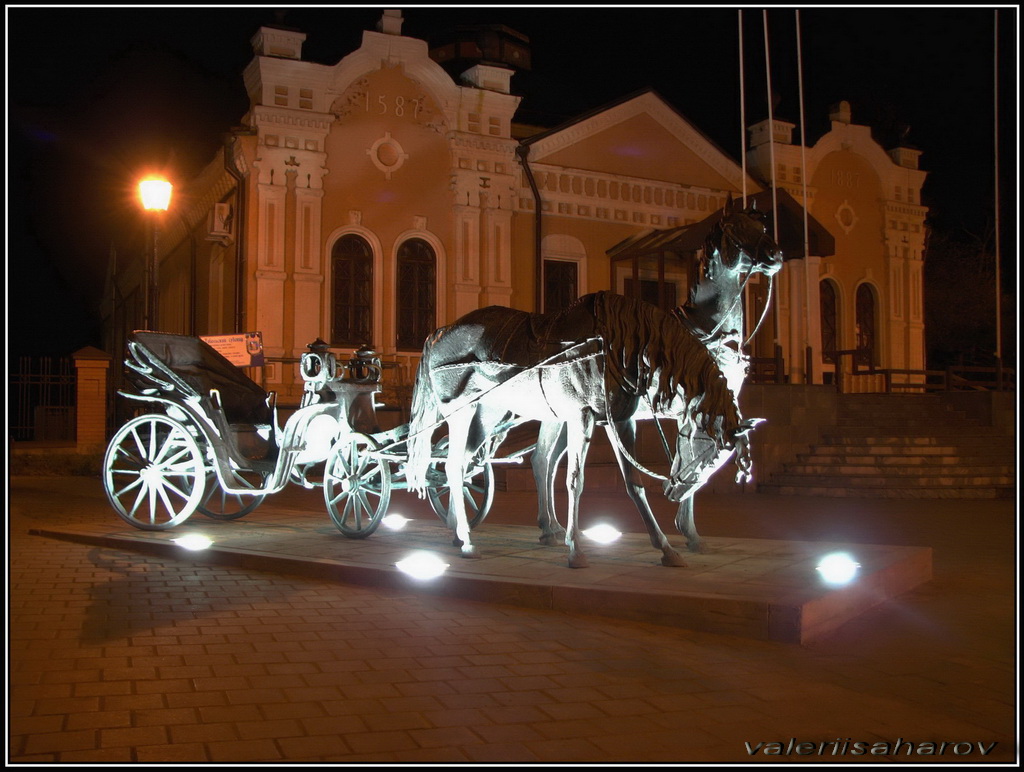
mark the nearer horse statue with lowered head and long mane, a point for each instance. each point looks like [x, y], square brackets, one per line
[607, 359]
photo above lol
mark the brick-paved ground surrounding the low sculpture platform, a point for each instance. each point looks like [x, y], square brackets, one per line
[116, 657]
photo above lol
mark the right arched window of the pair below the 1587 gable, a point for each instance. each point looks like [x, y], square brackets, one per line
[416, 293]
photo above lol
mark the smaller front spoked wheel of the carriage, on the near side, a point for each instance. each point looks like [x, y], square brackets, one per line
[357, 486]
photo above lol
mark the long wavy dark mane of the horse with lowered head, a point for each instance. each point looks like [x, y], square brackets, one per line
[644, 342]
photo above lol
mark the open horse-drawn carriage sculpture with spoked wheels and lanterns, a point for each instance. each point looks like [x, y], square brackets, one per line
[209, 440]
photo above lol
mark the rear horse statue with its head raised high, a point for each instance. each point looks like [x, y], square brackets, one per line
[737, 248]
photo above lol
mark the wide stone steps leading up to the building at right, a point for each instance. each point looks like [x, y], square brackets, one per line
[903, 447]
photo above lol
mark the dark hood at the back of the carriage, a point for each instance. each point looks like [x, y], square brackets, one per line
[201, 368]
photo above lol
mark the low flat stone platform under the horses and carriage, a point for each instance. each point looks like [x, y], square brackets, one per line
[753, 588]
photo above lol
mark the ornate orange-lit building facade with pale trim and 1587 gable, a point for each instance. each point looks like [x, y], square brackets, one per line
[369, 202]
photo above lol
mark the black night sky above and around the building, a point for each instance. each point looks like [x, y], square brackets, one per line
[98, 95]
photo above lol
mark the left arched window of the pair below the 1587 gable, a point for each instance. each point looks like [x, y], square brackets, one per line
[353, 312]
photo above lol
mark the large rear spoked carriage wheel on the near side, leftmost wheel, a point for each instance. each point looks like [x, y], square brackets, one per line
[154, 473]
